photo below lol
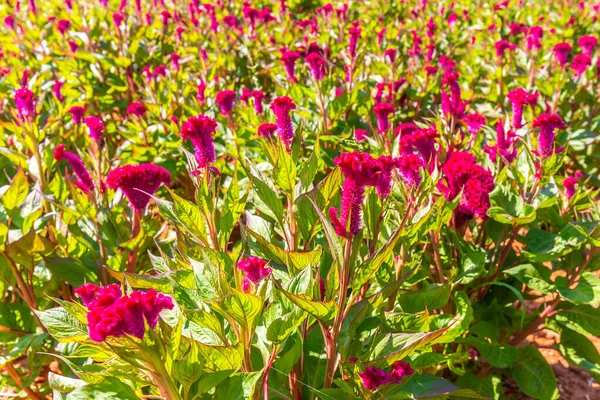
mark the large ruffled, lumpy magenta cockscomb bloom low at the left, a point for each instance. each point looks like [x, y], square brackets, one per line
[112, 314]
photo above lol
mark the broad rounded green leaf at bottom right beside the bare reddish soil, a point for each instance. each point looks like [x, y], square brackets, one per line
[534, 376]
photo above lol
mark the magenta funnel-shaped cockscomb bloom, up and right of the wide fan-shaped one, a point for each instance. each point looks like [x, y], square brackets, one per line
[199, 130]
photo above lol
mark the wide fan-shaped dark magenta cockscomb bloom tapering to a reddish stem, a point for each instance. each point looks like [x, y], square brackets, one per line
[138, 182]
